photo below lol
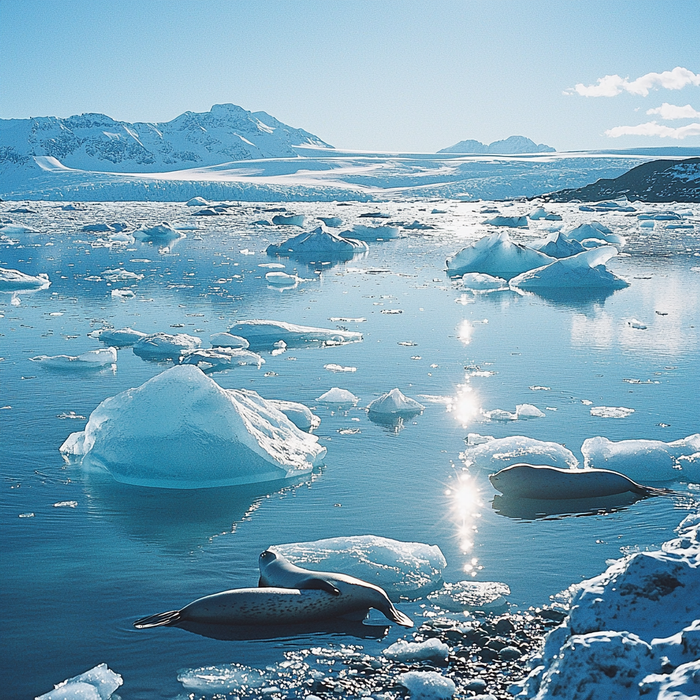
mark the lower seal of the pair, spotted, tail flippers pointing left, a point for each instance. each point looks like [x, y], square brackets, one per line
[270, 606]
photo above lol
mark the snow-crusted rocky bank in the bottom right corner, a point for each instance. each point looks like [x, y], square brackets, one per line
[633, 631]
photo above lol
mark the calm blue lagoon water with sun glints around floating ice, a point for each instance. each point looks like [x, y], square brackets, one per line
[83, 556]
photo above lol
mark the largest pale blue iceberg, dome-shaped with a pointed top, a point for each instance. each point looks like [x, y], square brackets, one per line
[182, 430]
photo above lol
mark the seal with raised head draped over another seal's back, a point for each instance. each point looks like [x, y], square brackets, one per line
[276, 570]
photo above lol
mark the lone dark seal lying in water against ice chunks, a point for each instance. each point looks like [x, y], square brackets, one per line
[553, 483]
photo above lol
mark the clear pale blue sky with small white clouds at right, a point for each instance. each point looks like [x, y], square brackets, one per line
[375, 75]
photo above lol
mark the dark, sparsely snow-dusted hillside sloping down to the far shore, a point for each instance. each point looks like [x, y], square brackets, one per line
[656, 181]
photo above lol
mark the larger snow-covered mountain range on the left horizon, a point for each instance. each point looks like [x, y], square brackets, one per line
[99, 143]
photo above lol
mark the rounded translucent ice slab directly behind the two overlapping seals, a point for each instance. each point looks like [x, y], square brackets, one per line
[408, 569]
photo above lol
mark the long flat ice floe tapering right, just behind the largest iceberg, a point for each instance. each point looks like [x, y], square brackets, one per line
[263, 334]
